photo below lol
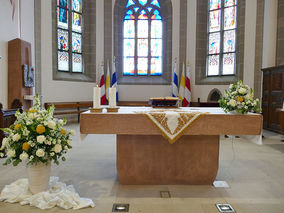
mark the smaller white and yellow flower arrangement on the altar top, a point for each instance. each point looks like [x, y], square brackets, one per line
[239, 98]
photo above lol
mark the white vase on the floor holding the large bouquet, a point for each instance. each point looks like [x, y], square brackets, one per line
[38, 177]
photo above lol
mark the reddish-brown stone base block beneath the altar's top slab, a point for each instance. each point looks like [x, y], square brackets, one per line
[151, 159]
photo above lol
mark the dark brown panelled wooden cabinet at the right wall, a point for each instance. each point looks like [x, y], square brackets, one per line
[272, 97]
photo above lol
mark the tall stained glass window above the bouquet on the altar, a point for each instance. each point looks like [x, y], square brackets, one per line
[221, 51]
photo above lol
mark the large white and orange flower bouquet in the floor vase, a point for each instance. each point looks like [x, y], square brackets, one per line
[36, 137]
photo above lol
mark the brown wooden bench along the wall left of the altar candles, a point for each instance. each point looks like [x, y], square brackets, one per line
[70, 107]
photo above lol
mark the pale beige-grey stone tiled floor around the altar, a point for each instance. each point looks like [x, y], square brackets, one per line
[255, 174]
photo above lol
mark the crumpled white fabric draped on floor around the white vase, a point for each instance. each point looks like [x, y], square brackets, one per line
[58, 195]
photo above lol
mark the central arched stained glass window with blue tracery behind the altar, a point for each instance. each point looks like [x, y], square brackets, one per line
[142, 38]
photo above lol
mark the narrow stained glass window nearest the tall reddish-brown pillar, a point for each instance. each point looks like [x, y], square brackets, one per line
[69, 35]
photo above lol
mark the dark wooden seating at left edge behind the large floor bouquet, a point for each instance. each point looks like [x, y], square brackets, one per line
[7, 117]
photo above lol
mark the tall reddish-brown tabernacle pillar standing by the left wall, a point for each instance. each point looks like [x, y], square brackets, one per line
[19, 54]
